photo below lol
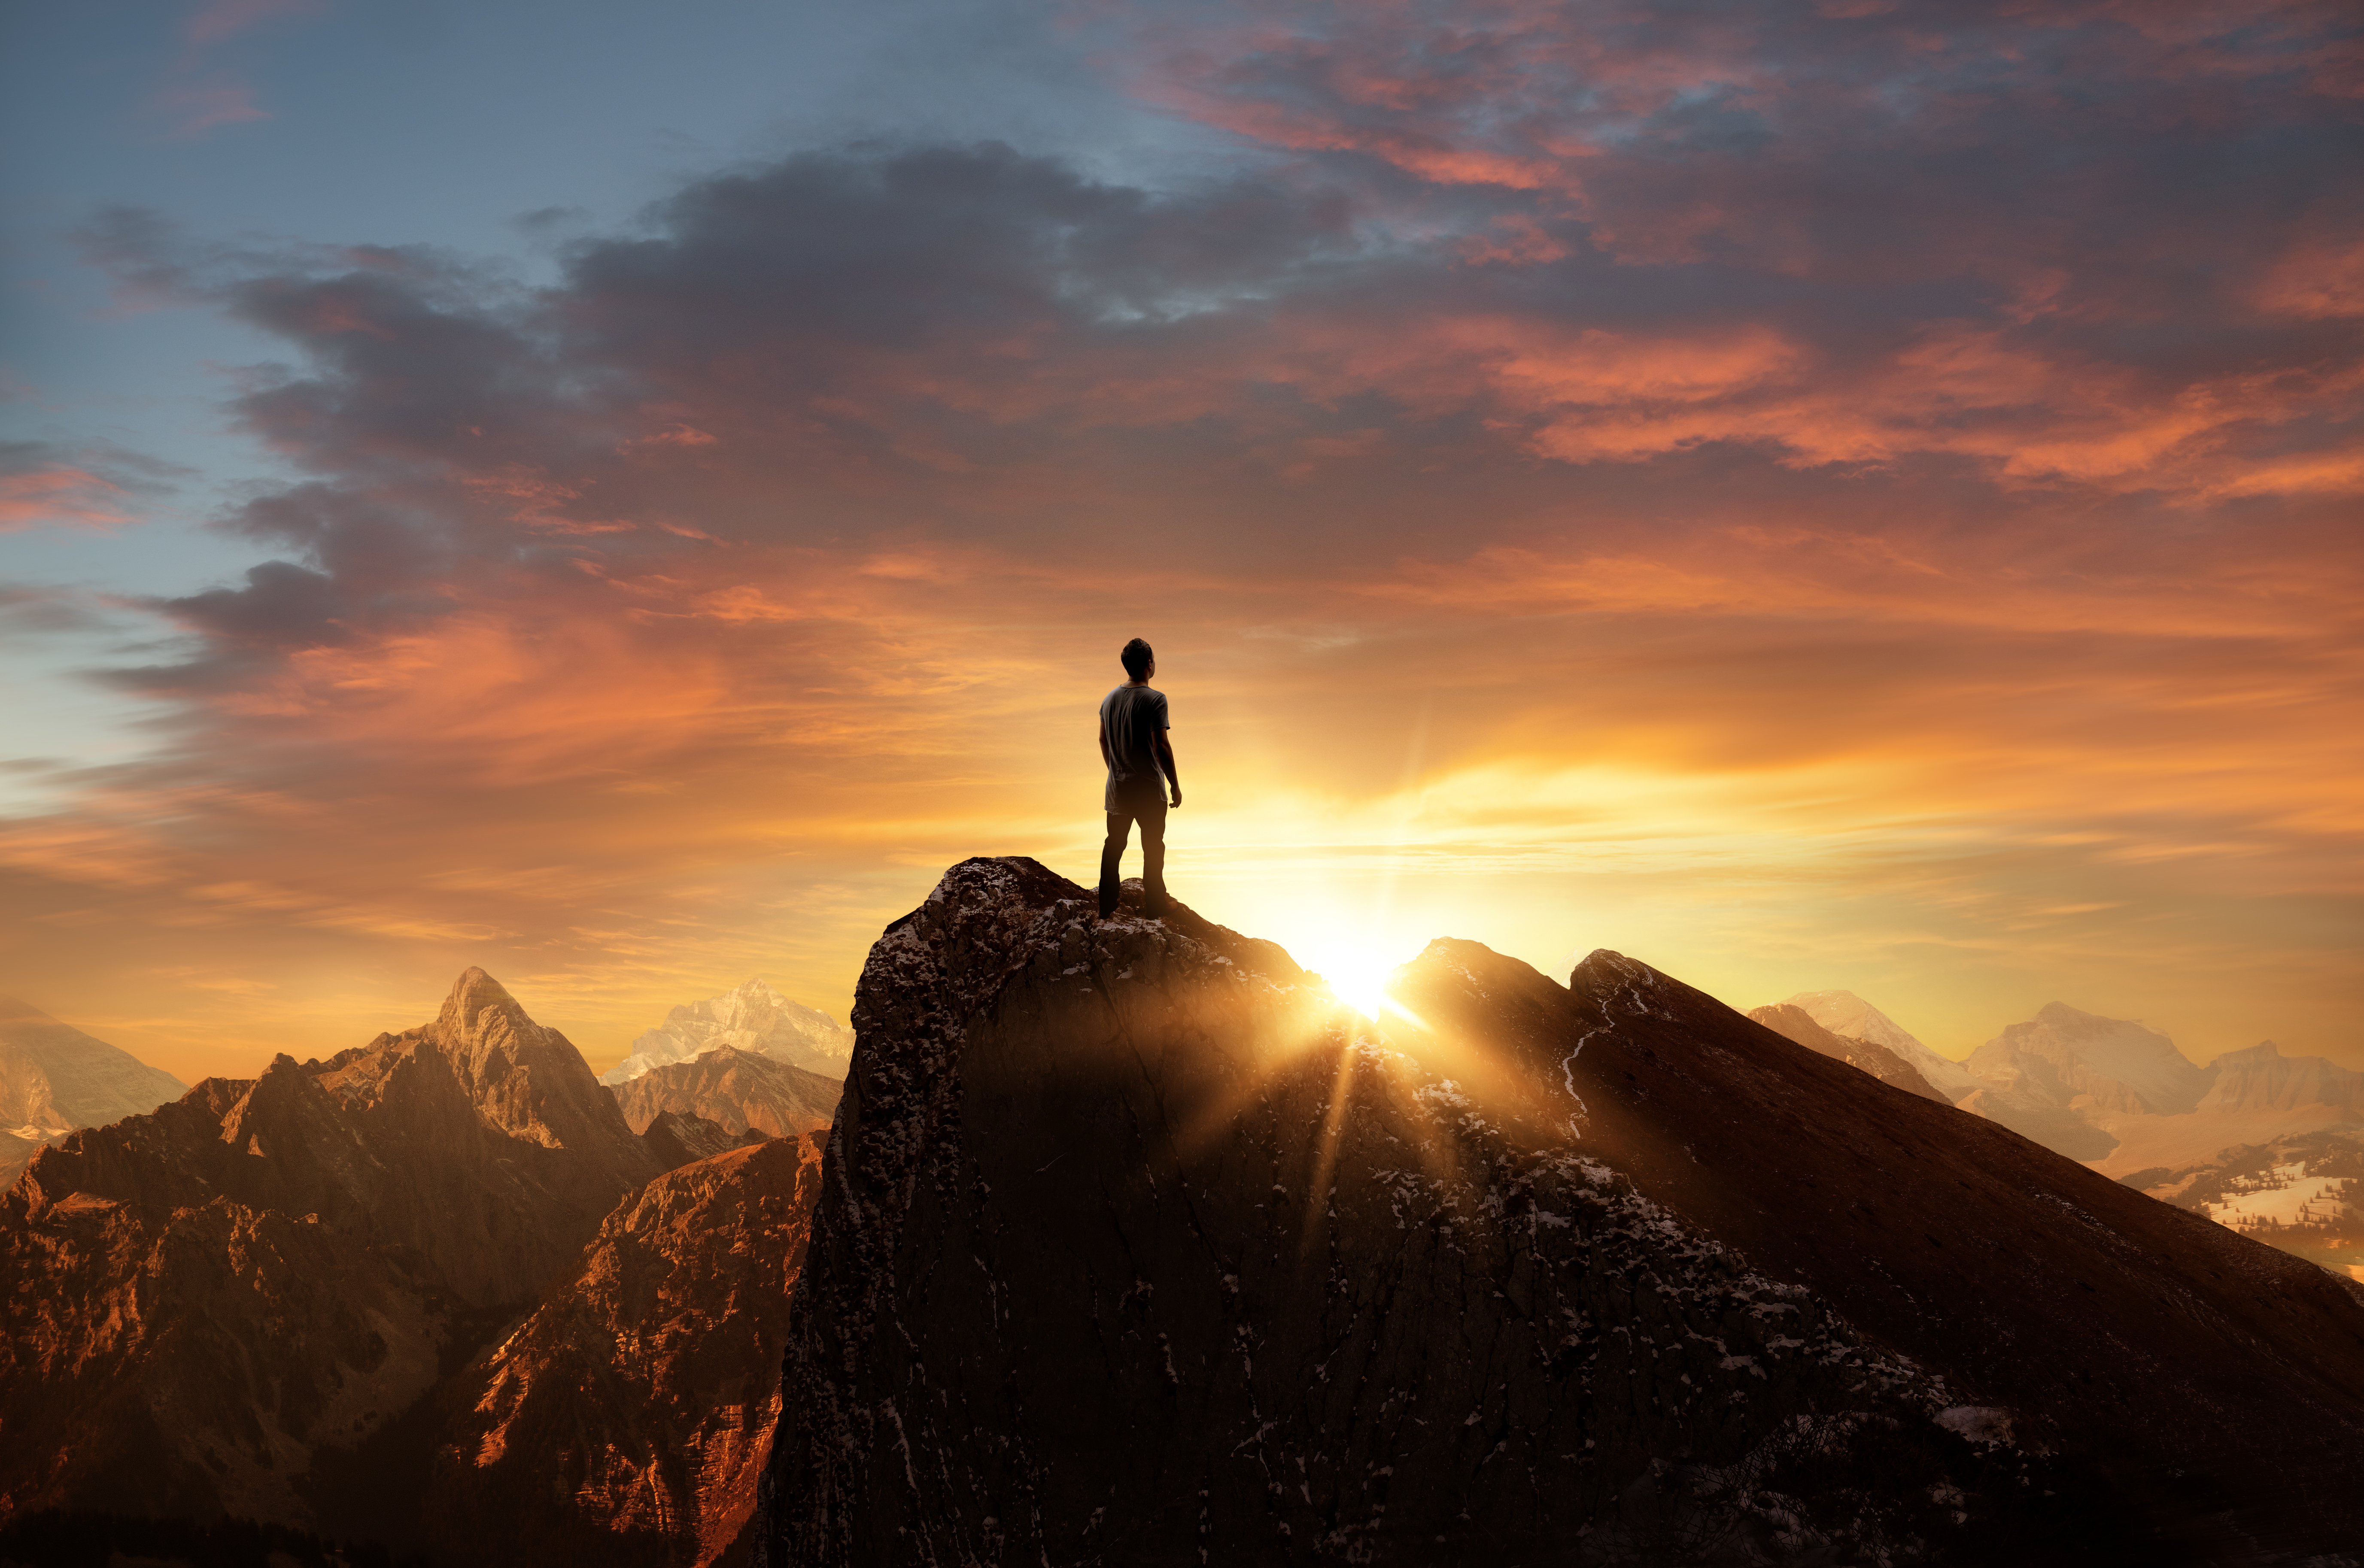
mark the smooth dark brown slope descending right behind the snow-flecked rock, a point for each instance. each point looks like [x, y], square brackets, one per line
[2207, 1385]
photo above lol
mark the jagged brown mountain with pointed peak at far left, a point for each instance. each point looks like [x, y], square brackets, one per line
[209, 1297]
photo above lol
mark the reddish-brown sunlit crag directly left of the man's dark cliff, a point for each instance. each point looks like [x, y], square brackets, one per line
[630, 1415]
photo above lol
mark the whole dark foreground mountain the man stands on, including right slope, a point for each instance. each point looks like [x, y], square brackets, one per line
[1138, 1250]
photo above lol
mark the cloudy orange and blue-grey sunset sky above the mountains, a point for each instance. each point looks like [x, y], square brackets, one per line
[1826, 495]
